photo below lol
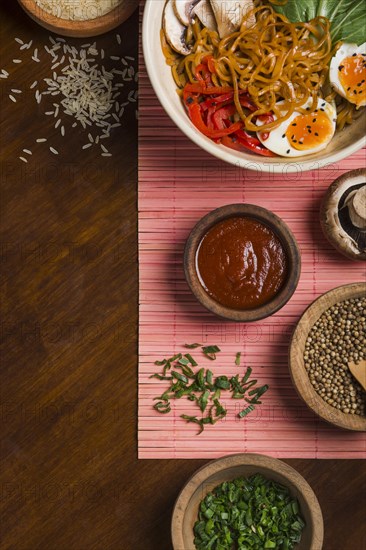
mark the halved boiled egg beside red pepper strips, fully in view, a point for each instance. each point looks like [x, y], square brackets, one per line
[302, 134]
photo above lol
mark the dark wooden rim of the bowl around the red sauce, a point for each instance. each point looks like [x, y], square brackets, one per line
[281, 230]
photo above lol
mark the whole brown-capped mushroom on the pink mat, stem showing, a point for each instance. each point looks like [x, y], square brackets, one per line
[343, 214]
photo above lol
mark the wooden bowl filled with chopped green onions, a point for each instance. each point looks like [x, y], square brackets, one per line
[291, 495]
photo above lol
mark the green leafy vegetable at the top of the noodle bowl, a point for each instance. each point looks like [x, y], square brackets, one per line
[348, 17]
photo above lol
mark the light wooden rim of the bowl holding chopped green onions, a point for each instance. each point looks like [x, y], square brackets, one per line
[281, 468]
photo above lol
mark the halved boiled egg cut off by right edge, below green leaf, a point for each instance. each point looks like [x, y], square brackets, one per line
[347, 73]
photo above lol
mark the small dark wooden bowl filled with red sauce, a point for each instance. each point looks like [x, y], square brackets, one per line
[242, 262]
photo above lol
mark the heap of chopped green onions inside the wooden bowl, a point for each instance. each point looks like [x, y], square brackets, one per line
[248, 514]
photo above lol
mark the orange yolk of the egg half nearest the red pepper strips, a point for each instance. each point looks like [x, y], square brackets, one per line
[310, 130]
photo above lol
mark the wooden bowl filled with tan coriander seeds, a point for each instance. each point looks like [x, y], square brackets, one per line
[329, 336]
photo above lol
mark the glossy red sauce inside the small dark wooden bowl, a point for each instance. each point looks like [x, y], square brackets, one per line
[241, 263]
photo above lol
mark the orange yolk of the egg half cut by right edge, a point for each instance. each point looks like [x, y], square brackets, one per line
[352, 76]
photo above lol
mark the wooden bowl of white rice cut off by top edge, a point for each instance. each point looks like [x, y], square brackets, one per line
[86, 23]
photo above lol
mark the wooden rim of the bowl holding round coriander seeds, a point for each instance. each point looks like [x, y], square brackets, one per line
[299, 376]
